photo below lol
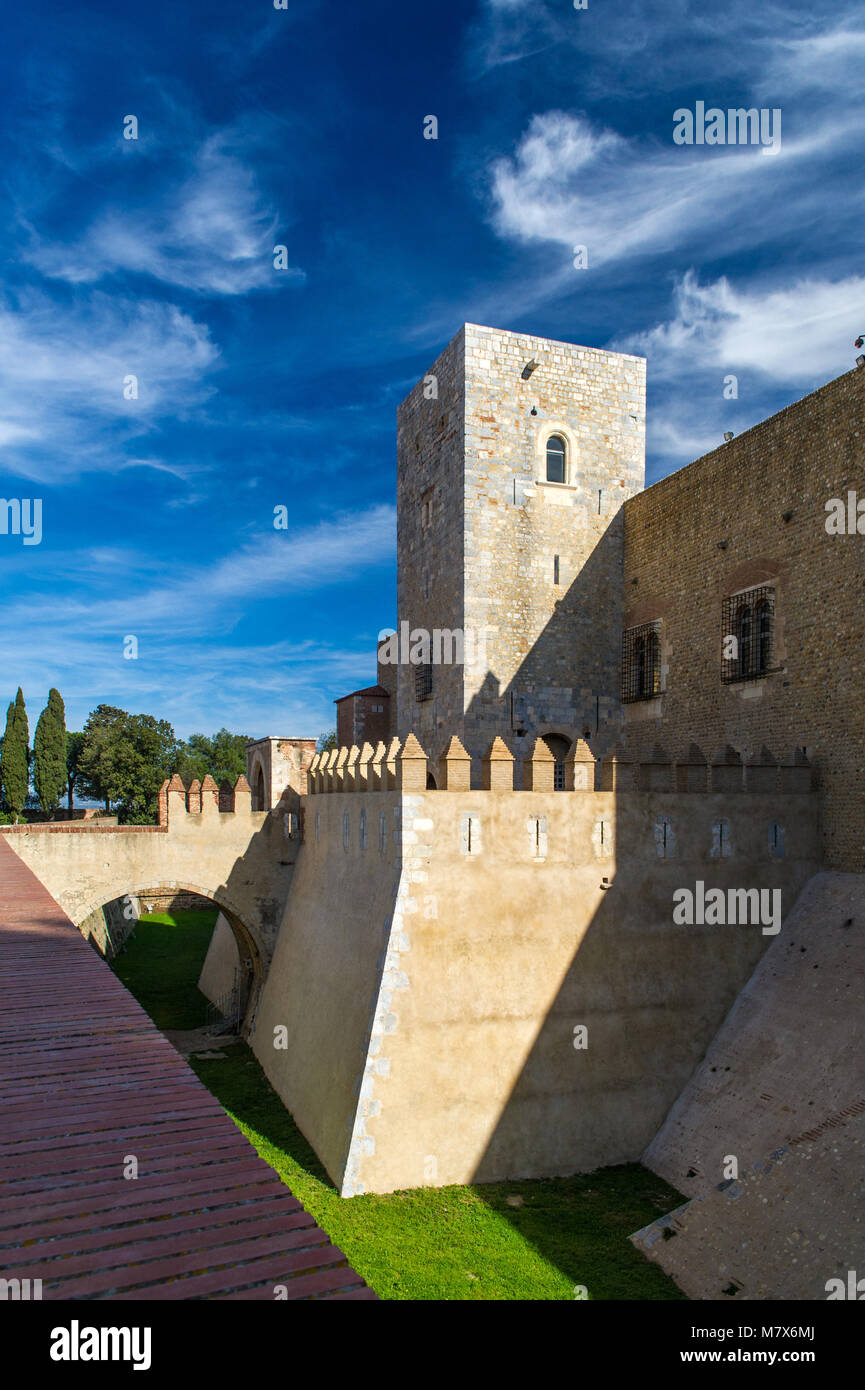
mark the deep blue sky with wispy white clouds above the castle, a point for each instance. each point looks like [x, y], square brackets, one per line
[258, 389]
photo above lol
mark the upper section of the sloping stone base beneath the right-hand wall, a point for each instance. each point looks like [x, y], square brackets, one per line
[789, 1056]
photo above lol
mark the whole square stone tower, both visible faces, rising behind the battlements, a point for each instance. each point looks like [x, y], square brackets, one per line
[515, 457]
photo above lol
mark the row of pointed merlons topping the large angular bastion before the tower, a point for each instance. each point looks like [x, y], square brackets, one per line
[410, 768]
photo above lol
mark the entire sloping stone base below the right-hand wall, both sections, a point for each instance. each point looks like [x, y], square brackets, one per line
[781, 1092]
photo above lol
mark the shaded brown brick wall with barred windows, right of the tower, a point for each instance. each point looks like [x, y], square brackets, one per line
[754, 512]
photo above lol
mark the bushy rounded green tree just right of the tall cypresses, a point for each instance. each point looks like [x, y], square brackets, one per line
[126, 758]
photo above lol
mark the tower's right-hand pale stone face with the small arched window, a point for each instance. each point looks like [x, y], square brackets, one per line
[553, 650]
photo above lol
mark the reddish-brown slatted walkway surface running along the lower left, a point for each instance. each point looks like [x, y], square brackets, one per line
[86, 1081]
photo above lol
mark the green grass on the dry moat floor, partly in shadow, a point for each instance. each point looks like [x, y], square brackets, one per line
[450, 1243]
